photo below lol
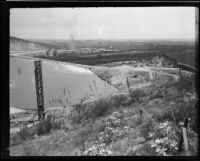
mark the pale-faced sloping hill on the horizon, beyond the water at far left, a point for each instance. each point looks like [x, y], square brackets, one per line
[17, 44]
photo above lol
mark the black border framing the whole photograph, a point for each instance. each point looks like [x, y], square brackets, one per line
[6, 6]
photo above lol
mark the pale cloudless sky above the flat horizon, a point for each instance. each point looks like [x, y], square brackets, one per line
[103, 23]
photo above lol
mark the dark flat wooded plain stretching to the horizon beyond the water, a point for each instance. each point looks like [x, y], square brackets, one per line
[183, 52]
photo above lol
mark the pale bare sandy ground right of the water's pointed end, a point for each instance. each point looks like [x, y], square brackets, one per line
[137, 77]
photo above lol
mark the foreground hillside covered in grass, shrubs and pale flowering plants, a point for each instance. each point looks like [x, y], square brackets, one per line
[143, 122]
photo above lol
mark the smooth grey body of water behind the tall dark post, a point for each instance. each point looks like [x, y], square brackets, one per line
[63, 84]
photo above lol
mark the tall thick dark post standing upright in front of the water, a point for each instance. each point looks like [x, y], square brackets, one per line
[39, 89]
